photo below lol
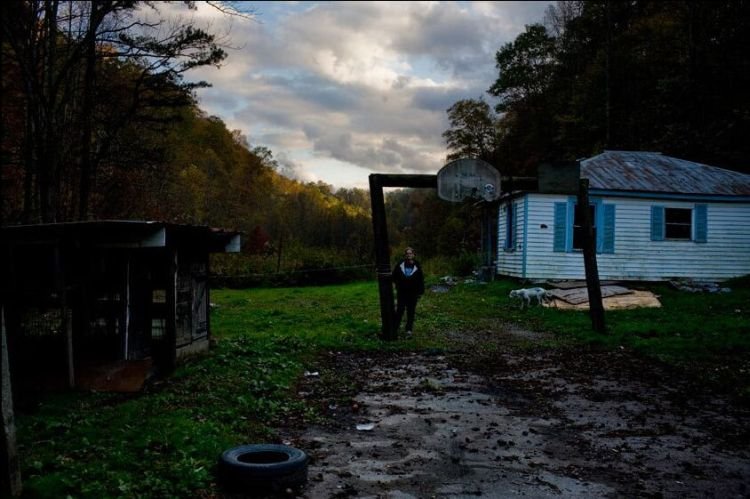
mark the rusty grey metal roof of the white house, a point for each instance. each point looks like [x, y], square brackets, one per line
[655, 172]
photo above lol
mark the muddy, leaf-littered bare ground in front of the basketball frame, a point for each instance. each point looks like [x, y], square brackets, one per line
[489, 418]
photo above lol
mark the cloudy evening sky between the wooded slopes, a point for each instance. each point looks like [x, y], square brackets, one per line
[339, 90]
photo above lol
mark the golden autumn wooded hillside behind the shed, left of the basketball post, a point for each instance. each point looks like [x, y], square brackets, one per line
[97, 123]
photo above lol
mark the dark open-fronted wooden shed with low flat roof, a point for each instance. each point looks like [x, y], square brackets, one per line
[85, 294]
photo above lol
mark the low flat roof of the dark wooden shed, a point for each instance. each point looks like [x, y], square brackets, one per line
[126, 234]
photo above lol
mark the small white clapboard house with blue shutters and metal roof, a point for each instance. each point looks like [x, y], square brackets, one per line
[655, 218]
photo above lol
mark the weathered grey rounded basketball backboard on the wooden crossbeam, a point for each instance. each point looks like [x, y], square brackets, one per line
[468, 178]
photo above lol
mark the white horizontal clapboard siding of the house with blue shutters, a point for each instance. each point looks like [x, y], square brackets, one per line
[725, 254]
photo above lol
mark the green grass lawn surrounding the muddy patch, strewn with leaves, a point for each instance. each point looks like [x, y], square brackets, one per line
[164, 442]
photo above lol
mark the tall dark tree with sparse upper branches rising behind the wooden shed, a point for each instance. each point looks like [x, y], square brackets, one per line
[60, 48]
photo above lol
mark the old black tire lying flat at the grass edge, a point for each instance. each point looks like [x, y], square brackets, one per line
[262, 468]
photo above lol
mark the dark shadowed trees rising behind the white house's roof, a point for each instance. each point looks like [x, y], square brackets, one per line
[666, 76]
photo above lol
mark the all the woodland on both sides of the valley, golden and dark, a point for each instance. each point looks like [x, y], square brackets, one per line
[98, 123]
